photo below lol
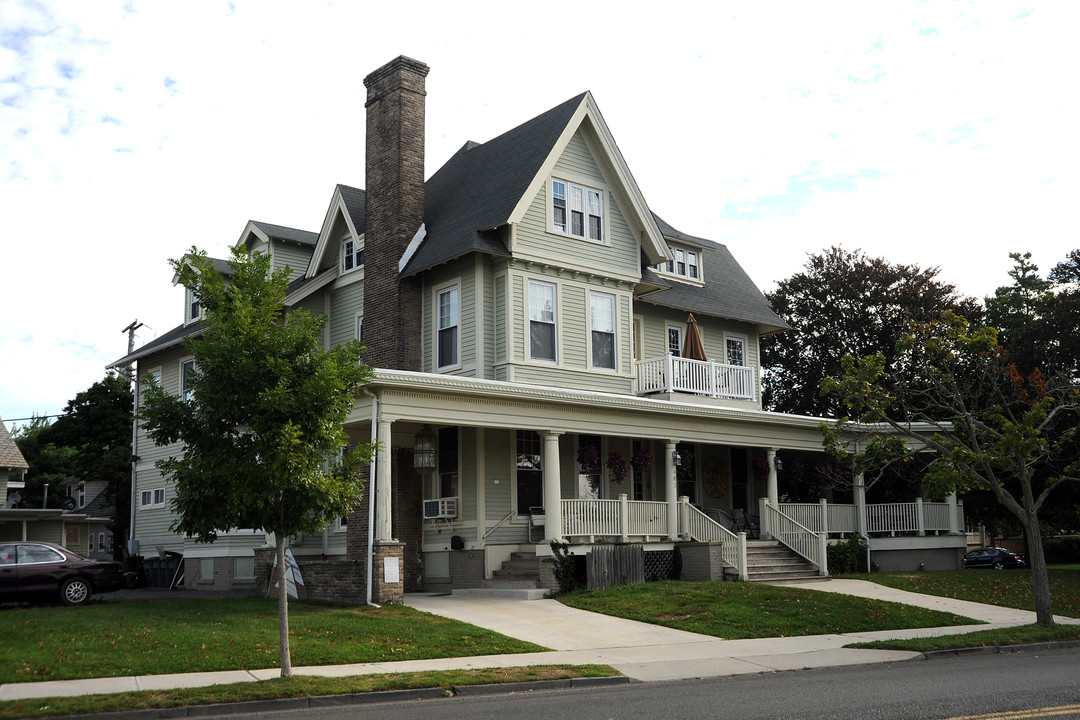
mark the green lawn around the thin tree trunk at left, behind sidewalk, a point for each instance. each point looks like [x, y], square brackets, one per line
[155, 637]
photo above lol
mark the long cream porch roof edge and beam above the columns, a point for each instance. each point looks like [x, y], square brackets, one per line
[457, 401]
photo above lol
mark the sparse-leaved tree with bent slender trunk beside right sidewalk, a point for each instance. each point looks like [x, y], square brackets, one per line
[960, 399]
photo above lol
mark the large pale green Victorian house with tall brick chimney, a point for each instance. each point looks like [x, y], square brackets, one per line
[528, 316]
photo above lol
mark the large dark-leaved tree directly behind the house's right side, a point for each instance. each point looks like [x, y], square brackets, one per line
[844, 304]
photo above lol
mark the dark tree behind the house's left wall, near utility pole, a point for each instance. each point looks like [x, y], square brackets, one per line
[98, 426]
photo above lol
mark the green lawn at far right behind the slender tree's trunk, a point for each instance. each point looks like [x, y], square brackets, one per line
[1009, 589]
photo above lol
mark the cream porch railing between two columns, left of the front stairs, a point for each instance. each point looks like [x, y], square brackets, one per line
[616, 520]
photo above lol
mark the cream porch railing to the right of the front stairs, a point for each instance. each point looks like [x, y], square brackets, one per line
[920, 518]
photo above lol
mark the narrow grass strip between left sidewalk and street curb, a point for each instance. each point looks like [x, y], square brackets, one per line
[289, 688]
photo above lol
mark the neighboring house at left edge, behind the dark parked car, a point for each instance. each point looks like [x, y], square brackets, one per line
[21, 523]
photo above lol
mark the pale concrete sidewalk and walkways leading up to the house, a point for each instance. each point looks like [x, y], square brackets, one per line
[639, 650]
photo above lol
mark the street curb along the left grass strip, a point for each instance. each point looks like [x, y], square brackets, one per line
[253, 708]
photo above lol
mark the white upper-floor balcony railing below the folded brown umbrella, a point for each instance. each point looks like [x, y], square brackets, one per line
[682, 375]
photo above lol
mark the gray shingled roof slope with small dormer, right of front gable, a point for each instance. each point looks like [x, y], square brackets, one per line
[727, 292]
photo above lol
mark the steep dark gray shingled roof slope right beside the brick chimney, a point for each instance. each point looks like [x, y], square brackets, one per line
[479, 188]
